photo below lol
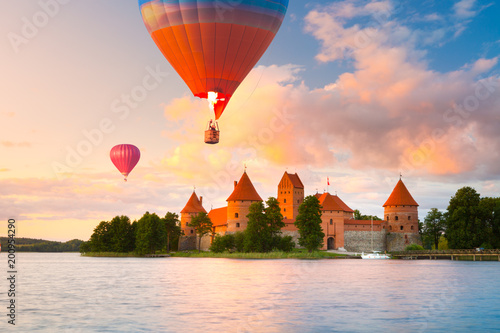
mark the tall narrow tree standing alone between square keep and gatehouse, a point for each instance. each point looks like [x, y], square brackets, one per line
[308, 223]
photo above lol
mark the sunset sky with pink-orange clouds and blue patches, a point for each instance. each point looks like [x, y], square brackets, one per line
[357, 91]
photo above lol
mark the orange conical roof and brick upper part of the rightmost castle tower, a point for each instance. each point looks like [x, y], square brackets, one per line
[401, 211]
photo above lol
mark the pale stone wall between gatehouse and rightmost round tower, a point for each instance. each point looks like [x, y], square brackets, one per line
[361, 241]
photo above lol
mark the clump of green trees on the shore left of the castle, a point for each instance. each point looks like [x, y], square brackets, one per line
[147, 235]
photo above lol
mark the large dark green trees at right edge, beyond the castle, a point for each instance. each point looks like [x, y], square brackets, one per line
[470, 221]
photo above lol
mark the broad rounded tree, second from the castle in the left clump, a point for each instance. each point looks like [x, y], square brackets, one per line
[151, 234]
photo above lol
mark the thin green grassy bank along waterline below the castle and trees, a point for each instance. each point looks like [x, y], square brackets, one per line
[297, 254]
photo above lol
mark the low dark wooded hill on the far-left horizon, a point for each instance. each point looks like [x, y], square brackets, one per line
[40, 245]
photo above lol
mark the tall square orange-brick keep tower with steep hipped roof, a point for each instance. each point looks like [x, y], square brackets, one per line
[290, 195]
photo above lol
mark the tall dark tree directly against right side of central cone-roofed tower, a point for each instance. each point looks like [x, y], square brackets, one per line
[258, 235]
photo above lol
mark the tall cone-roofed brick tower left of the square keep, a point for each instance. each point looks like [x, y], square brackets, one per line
[238, 204]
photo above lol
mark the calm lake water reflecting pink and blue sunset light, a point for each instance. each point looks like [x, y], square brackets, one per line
[69, 293]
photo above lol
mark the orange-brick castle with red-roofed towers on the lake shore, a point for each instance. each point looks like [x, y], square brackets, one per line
[398, 229]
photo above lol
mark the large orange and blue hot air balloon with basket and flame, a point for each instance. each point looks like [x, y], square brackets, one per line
[213, 44]
